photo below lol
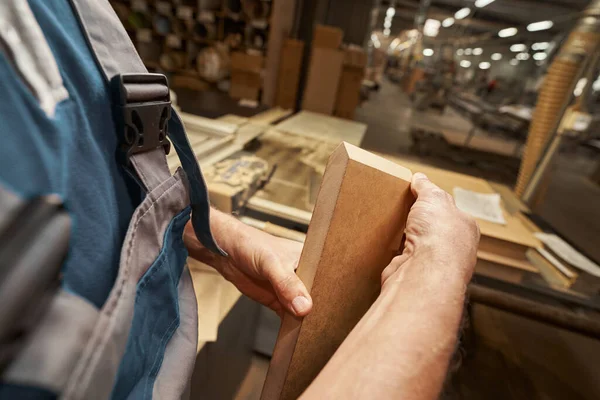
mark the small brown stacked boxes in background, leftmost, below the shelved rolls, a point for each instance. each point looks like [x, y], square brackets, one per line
[246, 79]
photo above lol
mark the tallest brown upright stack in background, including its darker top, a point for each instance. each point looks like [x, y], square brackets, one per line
[324, 71]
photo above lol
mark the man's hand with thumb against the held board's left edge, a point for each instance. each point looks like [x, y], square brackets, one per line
[260, 265]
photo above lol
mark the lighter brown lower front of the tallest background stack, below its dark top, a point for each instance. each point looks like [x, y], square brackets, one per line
[323, 80]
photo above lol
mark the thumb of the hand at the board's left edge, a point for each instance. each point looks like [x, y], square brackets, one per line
[290, 290]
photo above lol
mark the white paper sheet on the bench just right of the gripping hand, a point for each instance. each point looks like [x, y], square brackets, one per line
[485, 206]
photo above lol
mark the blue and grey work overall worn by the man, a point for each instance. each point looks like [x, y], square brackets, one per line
[87, 122]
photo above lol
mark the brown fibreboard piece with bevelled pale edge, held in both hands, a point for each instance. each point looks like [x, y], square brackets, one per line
[357, 229]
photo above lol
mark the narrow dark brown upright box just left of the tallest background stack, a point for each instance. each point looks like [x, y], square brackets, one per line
[289, 73]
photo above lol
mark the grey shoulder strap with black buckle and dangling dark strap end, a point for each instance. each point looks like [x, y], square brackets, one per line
[146, 96]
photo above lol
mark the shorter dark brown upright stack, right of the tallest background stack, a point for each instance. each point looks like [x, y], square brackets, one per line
[353, 73]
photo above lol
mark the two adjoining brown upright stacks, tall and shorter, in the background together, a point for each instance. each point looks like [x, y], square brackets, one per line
[335, 75]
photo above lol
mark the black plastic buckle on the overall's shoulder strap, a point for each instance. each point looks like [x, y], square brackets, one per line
[145, 109]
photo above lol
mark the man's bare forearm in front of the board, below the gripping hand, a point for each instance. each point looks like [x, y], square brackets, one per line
[402, 346]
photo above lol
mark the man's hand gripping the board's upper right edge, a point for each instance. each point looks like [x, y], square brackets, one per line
[438, 235]
